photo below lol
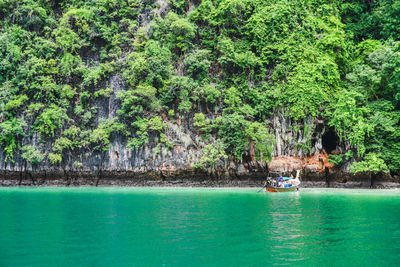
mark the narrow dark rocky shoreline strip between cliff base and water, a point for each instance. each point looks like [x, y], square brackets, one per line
[188, 178]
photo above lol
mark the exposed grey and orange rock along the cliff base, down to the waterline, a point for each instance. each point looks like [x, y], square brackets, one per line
[157, 165]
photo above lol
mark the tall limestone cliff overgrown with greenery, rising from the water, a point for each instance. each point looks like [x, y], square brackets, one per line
[75, 65]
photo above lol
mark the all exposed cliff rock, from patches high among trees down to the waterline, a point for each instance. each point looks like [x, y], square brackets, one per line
[299, 145]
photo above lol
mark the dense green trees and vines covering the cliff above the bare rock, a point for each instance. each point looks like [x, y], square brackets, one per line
[225, 65]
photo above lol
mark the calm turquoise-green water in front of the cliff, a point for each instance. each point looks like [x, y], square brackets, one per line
[198, 227]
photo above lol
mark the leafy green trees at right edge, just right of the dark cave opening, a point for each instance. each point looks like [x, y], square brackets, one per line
[365, 113]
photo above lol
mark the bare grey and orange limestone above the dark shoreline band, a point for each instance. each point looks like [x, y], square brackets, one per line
[289, 153]
